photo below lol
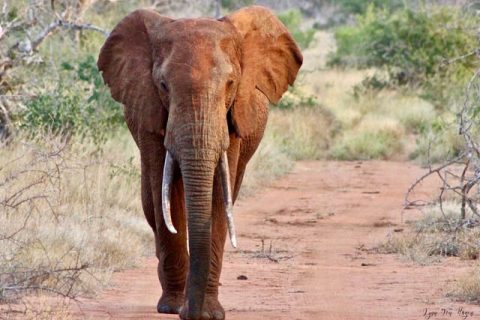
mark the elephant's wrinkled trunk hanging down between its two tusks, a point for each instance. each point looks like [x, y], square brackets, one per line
[198, 172]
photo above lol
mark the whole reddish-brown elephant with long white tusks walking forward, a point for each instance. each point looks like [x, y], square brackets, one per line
[196, 94]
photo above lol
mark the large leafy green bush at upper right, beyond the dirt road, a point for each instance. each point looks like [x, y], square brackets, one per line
[412, 47]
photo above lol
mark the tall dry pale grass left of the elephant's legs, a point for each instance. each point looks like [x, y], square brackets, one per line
[69, 216]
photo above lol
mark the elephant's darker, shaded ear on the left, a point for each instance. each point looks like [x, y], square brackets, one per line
[126, 63]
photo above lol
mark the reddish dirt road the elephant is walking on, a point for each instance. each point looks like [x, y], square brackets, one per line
[302, 252]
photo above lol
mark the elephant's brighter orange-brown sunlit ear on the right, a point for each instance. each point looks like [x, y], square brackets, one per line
[270, 62]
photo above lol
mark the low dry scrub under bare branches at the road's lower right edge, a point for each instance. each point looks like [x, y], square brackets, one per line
[437, 235]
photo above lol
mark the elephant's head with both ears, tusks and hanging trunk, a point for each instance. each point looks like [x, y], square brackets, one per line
[193, 82]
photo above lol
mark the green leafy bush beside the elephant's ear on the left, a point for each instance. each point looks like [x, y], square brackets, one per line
[80, 105]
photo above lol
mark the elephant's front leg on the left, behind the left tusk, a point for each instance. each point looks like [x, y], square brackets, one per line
[170, 249]
